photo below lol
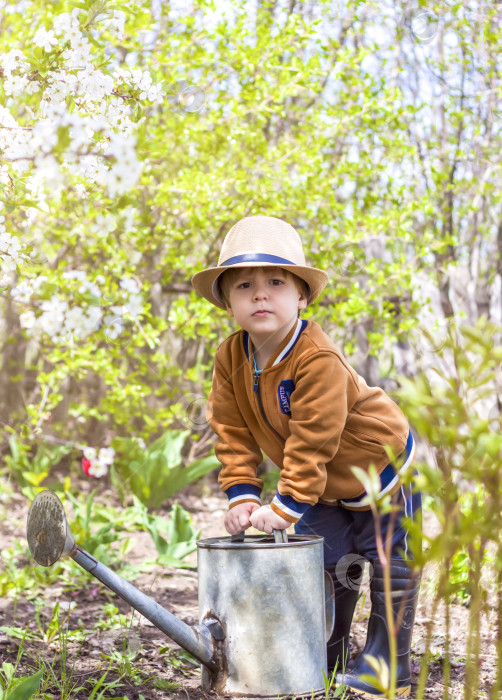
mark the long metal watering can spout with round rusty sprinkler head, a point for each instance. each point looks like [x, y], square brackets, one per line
[50, 538]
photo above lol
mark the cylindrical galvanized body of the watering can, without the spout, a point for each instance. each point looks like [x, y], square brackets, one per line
[269, 598]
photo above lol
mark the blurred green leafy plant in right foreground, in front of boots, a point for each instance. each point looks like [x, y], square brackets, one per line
[455, 407]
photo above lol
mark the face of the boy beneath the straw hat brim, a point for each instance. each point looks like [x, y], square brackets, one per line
[264, 301]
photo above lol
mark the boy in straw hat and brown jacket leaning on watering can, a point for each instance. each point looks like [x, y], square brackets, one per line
[280, 385]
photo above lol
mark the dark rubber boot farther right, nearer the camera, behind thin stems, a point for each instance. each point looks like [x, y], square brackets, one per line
[403, 588]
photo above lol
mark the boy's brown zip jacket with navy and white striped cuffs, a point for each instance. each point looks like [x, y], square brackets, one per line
[313, 415]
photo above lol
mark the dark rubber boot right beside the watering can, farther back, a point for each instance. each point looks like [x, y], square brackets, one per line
[346, 582]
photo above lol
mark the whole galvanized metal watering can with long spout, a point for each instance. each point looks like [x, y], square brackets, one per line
[265, 605]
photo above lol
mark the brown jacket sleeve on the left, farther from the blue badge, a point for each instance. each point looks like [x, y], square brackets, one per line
[236, 448]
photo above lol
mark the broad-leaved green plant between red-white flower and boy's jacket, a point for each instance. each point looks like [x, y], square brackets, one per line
[157, 472]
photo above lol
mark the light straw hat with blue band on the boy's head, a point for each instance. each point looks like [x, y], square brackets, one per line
[260, 241]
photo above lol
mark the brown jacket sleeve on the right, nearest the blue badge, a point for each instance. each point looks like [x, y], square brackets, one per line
[325, 391]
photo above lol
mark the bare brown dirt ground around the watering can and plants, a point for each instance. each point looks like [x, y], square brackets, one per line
[159, 658]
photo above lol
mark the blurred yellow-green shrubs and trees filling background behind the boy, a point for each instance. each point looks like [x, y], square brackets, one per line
[373, 128]
